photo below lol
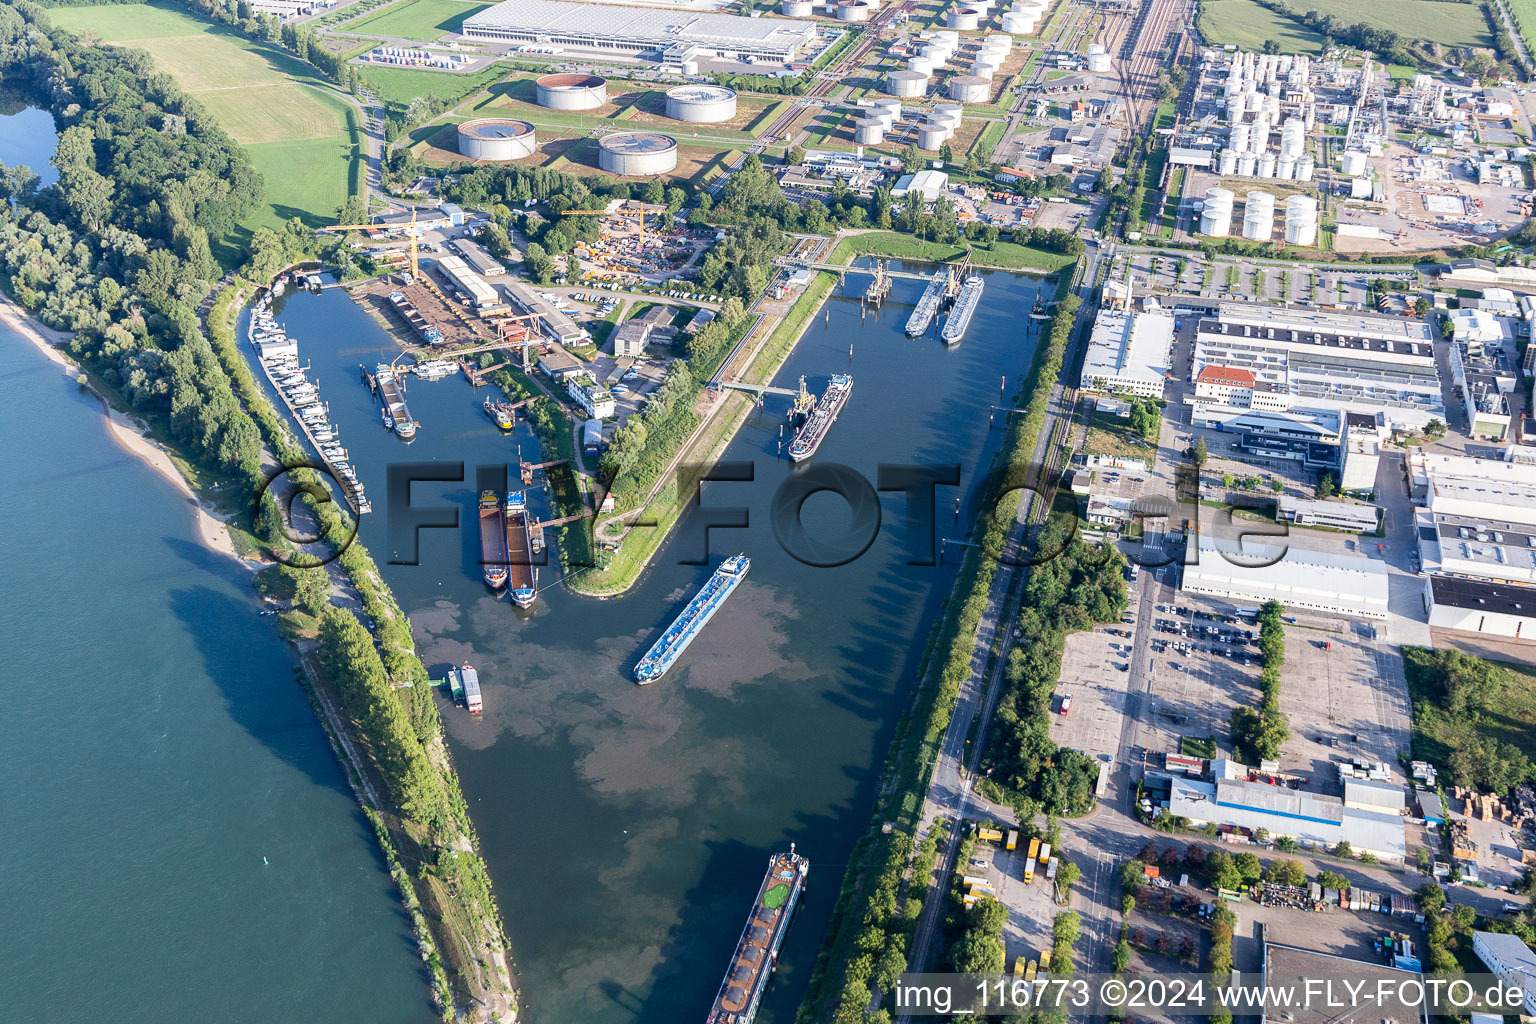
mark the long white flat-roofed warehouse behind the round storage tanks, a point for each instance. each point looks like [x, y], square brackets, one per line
[674, 36]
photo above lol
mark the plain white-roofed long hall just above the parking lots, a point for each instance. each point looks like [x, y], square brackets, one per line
[1251, 573]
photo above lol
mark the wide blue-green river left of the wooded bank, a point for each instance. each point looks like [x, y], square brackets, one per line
[179, 842]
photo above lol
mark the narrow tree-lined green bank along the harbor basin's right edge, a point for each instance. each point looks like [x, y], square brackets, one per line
[866, 922]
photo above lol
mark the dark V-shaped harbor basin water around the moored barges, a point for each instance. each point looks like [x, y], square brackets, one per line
[627, 828]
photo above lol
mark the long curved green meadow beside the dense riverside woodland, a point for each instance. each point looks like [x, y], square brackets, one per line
[294, 127]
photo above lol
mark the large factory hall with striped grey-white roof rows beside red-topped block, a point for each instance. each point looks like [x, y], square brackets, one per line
[1326, 360]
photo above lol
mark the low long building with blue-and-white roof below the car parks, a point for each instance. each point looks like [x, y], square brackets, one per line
[1314, 821]
